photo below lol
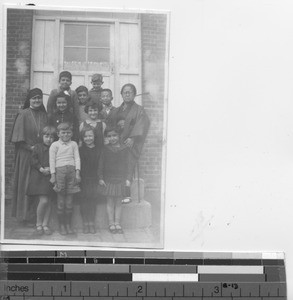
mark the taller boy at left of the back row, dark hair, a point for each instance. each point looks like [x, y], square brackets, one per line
[65, 81]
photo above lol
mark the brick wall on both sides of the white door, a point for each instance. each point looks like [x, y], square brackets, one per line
[153, 36]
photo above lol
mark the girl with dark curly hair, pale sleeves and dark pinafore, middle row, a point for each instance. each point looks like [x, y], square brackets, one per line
[92, 109]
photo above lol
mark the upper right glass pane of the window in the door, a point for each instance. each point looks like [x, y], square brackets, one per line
[99, 36]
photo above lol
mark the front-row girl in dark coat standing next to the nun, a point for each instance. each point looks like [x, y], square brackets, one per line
[39, 182]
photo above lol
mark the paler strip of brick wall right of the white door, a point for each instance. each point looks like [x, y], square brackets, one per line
[153, 38]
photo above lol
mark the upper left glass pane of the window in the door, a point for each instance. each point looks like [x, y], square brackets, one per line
[75, 35]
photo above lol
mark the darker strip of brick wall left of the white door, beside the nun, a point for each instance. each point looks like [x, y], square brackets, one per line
[19, 38]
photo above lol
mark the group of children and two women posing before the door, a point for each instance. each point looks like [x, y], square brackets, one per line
[80, 146]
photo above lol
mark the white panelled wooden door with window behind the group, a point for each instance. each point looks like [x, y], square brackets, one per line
[111, 48]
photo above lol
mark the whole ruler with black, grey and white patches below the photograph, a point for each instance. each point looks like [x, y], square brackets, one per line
[142, 275]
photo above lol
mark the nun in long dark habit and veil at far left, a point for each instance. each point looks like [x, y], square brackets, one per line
[26, 132]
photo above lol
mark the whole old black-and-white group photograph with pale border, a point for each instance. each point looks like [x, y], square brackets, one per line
[85, 127]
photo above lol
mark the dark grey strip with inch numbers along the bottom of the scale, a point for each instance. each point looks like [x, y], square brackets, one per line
[29, 288]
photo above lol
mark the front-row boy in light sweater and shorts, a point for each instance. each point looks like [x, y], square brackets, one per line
[65, 175]
